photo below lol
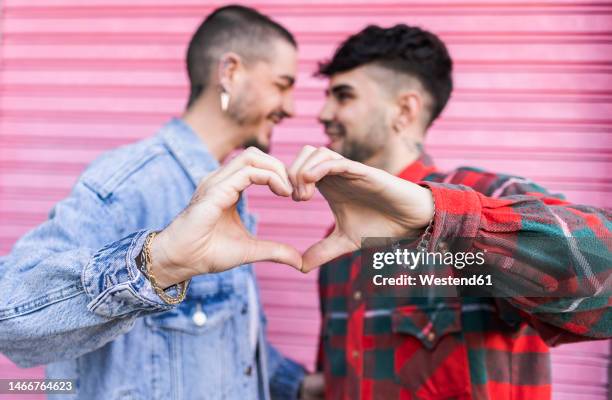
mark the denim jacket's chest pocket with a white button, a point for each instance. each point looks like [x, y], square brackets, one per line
[198, 342]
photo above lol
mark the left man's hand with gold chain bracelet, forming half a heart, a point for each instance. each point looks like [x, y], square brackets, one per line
[208, 236]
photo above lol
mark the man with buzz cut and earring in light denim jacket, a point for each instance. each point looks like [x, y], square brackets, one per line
[73, 291]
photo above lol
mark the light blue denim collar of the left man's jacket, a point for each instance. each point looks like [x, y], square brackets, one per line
[188, 149]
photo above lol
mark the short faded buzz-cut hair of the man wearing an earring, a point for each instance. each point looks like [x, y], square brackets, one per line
[234, 28]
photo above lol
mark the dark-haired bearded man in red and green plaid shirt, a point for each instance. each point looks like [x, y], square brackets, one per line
[386, 88]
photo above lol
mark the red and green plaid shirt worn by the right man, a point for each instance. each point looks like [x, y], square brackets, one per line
[463, 348]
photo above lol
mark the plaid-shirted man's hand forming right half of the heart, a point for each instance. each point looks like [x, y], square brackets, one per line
[365, 201]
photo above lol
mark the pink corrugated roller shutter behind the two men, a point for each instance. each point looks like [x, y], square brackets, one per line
[533, 97]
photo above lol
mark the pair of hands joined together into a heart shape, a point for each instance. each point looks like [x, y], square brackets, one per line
[208, 236]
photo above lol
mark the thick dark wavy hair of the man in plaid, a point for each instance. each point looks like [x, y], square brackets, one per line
[403, 49]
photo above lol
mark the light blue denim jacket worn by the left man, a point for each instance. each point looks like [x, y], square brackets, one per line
[71, 295]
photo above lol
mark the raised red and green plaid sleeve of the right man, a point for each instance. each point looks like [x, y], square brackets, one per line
[502, 222]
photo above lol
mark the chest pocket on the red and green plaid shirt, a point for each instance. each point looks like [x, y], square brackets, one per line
[430, 357]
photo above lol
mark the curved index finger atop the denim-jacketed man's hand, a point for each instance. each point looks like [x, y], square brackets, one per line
[255, 158]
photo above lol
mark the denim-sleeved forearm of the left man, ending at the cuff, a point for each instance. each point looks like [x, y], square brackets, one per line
[60, 305]
